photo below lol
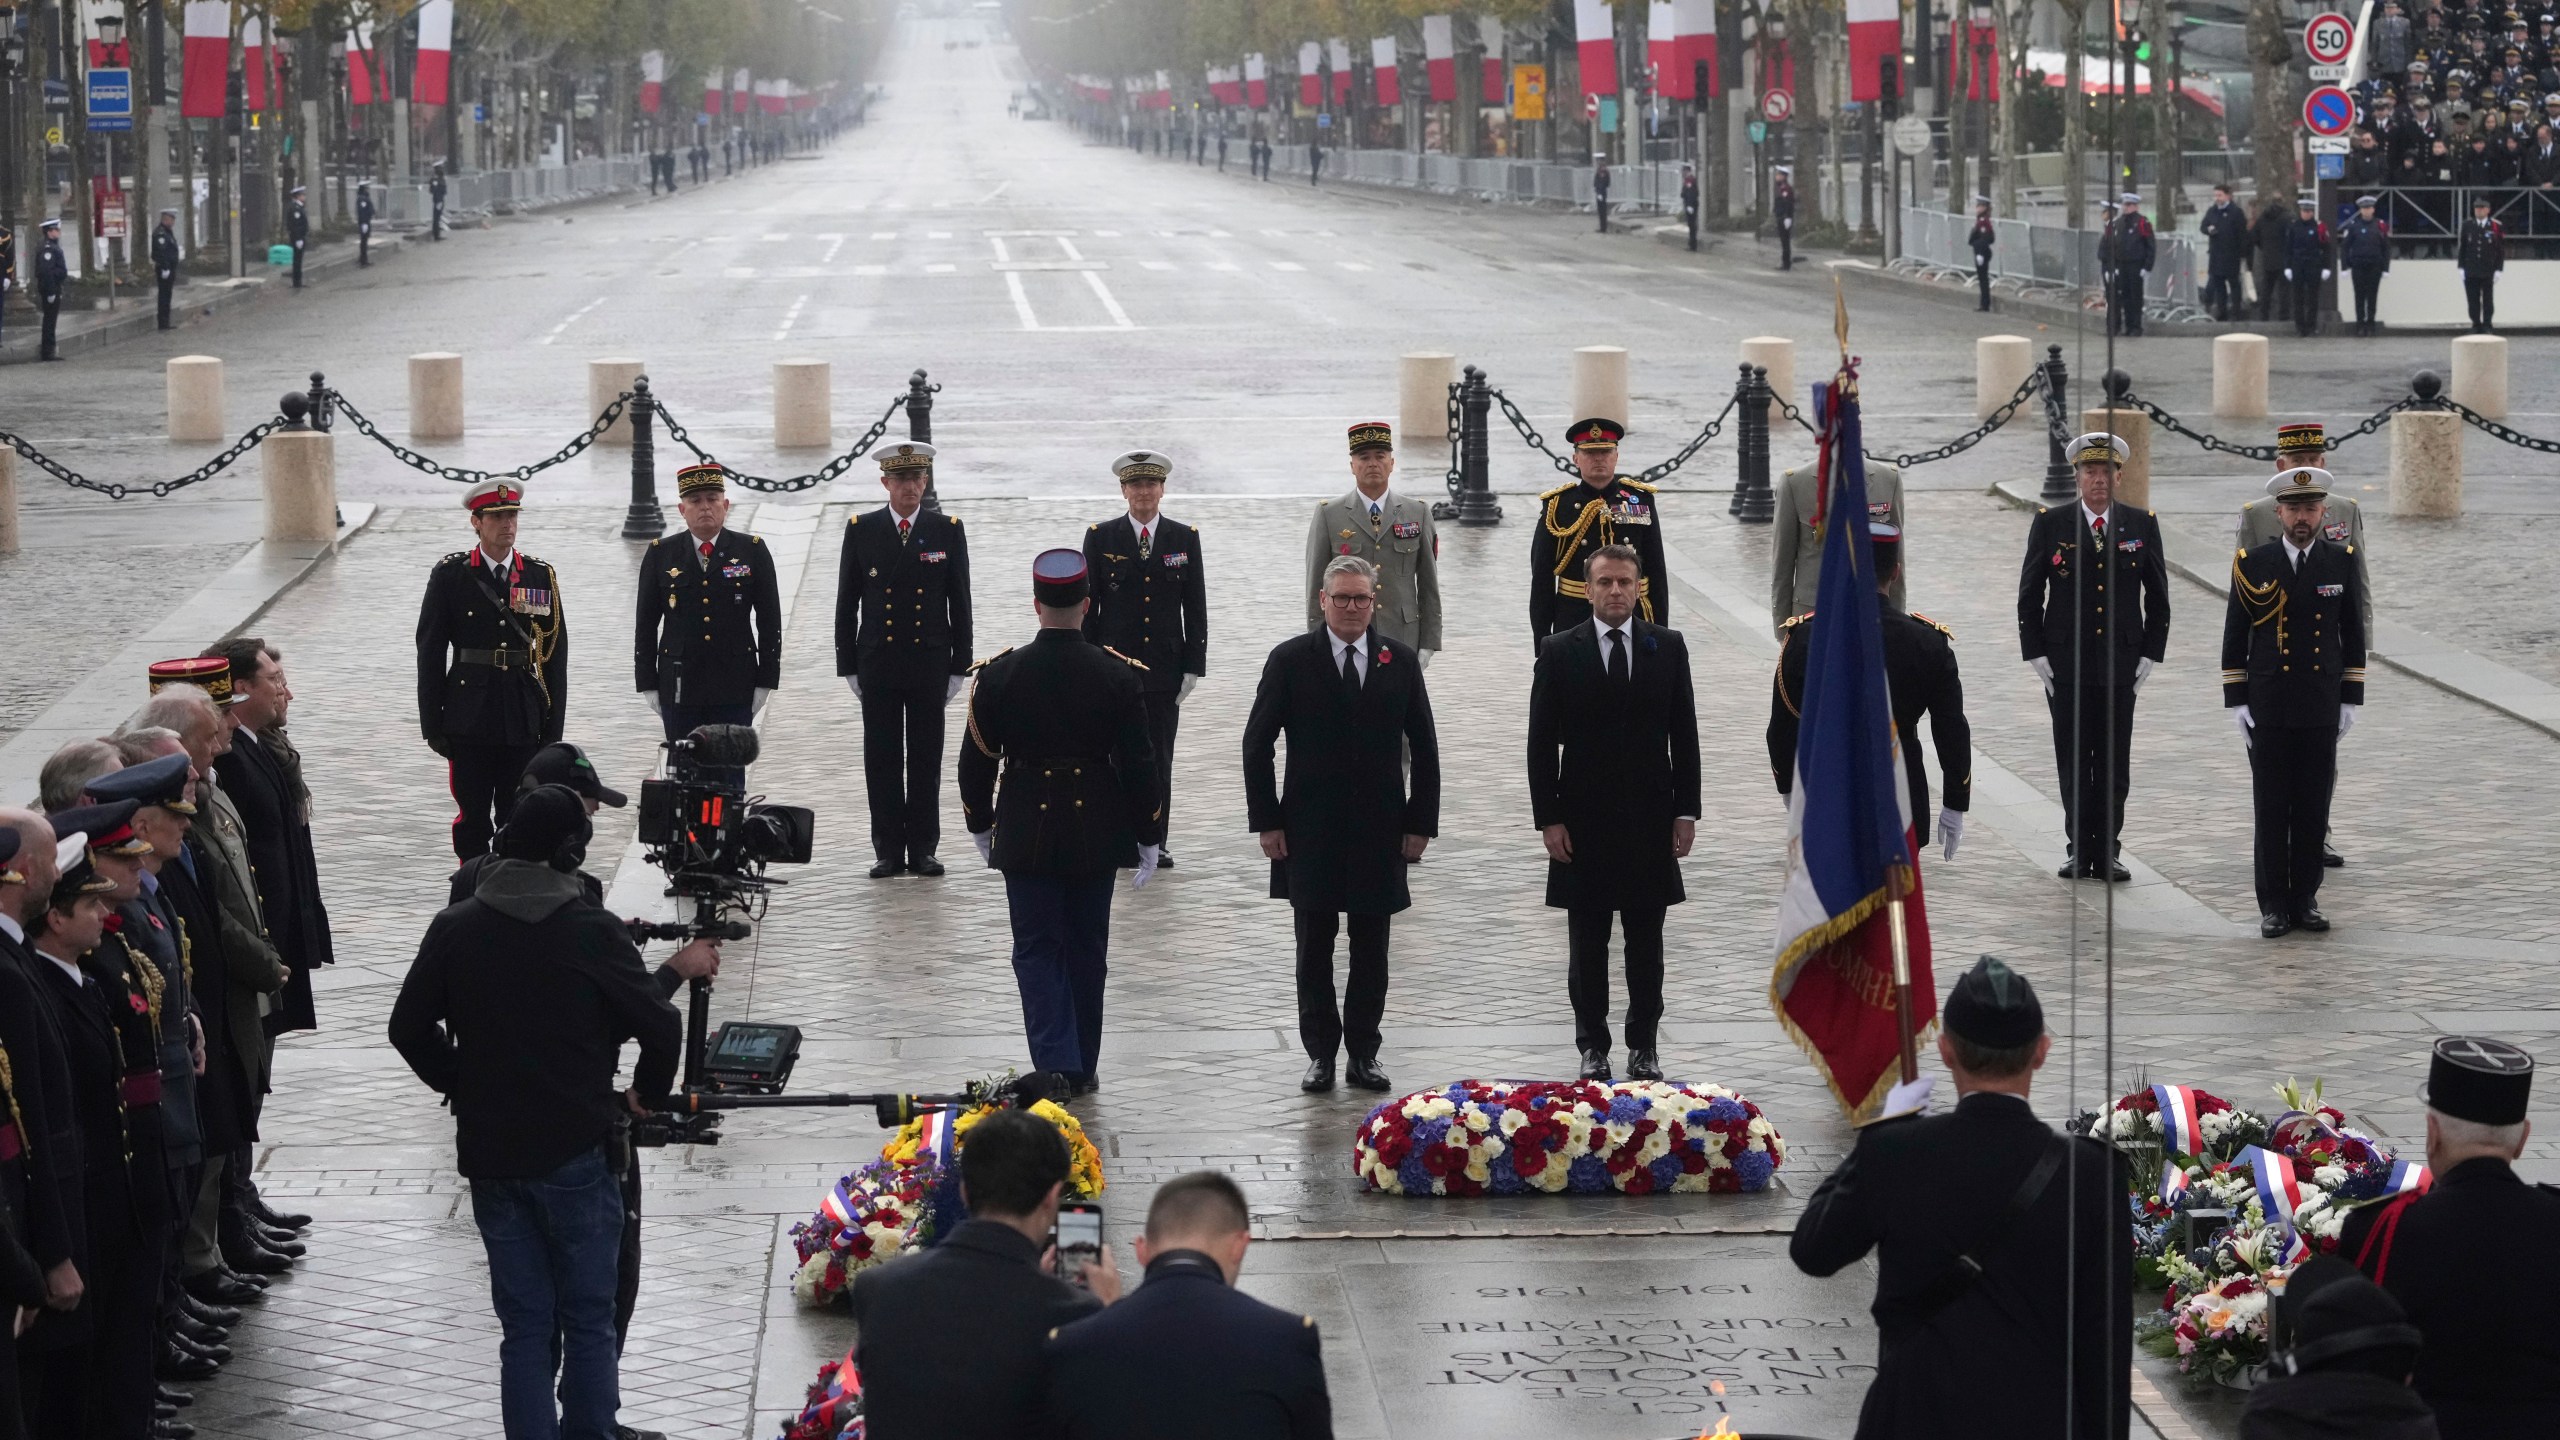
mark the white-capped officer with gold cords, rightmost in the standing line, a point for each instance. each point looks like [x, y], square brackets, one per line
[2292, 678]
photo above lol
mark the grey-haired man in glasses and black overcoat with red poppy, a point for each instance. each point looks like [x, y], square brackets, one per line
[1343, 826]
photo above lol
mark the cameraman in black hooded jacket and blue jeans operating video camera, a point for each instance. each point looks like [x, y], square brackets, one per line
[516, 1013]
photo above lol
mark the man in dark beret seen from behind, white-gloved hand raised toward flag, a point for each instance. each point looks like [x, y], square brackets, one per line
[2003, 1262]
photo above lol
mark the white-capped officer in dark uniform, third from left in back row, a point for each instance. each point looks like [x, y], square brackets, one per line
[902, 642]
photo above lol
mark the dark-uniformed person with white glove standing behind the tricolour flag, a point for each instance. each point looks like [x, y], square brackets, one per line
[1921, 678]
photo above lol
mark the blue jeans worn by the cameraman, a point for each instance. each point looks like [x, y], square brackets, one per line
[554, 1254]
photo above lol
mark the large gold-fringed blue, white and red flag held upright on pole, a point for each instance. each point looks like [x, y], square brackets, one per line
[1850, 826]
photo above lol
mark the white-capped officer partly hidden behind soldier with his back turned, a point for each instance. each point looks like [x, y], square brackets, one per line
[1151, 603]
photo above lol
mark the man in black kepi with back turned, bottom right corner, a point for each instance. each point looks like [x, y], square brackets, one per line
[2474, 1257]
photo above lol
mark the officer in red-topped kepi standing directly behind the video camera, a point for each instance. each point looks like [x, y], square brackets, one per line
[710, 634]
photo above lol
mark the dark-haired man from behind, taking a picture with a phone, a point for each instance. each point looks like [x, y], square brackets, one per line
[951, 1339]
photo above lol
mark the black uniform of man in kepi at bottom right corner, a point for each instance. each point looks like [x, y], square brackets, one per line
[2477, 1267]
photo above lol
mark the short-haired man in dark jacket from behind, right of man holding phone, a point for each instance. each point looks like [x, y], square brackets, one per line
[1217, 1359]
